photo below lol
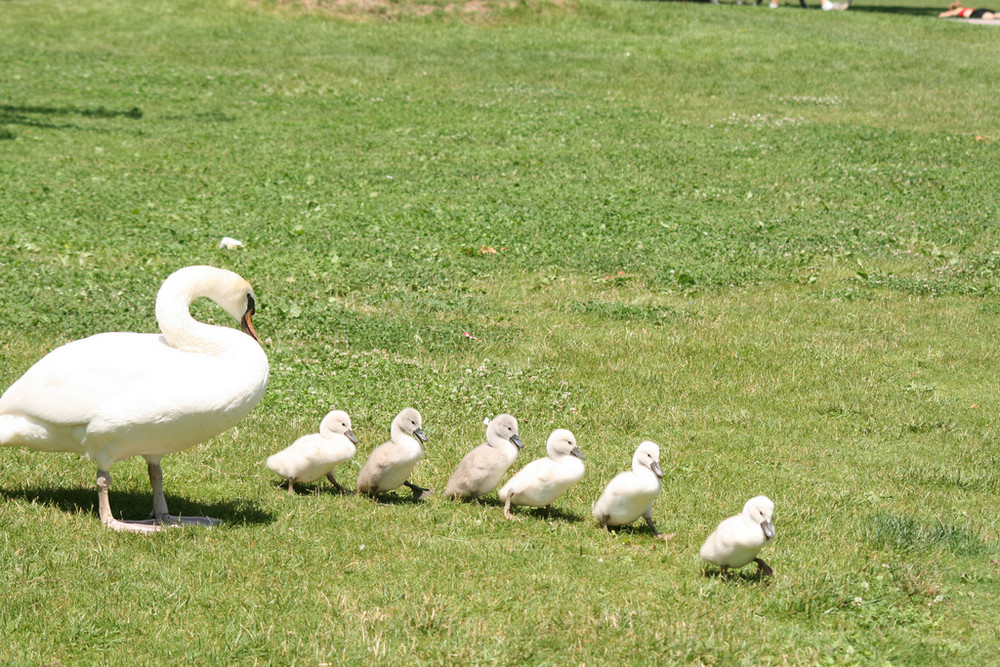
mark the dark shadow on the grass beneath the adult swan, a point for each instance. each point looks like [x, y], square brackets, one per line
[134, 505]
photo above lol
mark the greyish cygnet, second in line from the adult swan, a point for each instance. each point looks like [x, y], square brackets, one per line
[390, 465]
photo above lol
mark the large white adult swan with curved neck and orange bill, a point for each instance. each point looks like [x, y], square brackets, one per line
[116, 395]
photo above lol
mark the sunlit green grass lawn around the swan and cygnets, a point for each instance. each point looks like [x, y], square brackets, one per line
[767, 240]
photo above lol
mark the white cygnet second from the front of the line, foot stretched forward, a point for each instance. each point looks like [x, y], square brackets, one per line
[630, 494]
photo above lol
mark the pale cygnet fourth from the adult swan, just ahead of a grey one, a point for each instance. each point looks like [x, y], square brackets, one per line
[540, 482]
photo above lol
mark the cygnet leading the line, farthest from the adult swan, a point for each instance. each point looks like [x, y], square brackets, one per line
[739, 539]
